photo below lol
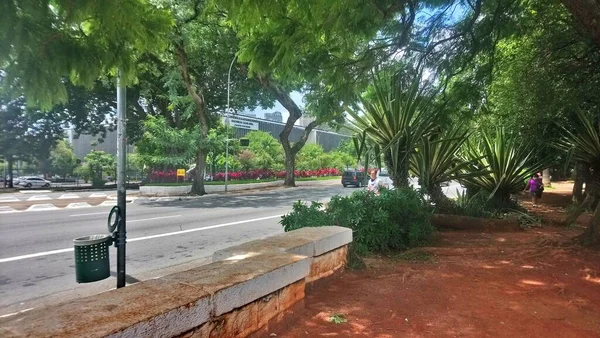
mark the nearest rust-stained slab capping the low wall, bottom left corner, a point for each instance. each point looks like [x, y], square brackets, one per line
[153, 308]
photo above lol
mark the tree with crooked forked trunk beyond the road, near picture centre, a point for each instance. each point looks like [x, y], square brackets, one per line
[308, 46]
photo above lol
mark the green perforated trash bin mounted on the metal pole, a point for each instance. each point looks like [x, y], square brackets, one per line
[91, 258]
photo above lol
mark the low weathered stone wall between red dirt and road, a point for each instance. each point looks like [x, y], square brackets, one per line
[246, 288]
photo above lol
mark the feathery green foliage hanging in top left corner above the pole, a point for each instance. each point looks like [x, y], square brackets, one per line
[42, 43]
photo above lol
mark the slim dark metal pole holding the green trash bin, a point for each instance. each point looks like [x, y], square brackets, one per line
[121, 193]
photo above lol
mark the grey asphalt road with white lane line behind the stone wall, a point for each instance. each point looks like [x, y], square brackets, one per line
[37, 260]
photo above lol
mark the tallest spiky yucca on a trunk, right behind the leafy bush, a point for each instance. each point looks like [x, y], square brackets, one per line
[395, 118]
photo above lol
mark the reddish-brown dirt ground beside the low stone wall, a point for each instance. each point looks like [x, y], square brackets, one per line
[535, 283]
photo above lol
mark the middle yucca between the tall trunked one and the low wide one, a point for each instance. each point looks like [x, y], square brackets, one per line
[437, 160]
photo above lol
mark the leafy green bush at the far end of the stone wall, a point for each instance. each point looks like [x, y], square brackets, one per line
[397, 219]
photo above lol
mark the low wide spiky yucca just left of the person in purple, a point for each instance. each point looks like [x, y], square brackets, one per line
[507, 161]
